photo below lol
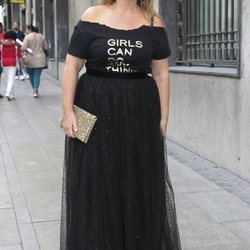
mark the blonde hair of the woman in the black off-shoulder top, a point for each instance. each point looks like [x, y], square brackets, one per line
[147, 7]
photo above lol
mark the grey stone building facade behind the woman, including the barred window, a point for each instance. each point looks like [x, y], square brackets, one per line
[209, 70]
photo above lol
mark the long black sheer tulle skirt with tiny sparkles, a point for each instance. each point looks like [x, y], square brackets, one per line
[117, 194]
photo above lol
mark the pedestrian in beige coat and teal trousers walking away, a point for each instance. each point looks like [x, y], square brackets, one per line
[36, 61]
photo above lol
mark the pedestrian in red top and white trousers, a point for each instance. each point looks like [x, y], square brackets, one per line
[9, 57]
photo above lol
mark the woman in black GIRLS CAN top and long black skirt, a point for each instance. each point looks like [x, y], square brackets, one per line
[116, 189]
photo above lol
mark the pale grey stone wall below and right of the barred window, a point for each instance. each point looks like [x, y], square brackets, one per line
[210, 115]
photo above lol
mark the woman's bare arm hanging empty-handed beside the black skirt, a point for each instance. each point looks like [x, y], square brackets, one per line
[160, 73]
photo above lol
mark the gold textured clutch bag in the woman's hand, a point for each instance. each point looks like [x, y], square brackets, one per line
[85, 122]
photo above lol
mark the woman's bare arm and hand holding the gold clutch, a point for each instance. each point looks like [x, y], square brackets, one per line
[70, 76]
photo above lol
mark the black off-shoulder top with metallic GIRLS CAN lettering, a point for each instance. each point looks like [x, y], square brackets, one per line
[113, 50]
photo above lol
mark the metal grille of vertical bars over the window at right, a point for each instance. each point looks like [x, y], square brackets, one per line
[208, 32]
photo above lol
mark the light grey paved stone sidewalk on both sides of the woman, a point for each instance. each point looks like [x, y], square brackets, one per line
[213, 205]
